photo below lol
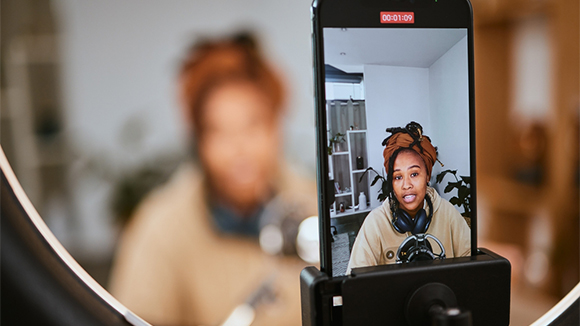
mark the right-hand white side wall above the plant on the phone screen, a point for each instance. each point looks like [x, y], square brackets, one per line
[449, 98]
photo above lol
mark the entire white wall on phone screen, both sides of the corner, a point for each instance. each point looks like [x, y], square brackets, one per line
[437, 97]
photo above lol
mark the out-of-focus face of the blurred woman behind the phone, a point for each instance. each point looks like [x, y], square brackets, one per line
[239, 143]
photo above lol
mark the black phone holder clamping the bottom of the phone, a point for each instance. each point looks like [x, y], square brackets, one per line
[456, 291]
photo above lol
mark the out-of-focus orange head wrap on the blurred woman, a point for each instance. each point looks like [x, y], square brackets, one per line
[209, 64]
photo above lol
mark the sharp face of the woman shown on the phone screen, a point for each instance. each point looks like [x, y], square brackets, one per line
[410, 181]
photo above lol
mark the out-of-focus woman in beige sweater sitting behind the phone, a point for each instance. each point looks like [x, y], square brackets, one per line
[191, 255]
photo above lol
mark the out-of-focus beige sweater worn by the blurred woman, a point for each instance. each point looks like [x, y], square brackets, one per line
[173, 268]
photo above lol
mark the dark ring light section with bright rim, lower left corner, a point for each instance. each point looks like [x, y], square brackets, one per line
[42, 283]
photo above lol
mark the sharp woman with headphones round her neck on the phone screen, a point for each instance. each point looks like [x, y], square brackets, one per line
[412, 206]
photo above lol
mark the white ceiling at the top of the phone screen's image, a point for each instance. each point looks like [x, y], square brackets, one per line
[387, 46]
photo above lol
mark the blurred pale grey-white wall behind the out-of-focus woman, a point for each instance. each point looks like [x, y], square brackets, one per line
[121, 58]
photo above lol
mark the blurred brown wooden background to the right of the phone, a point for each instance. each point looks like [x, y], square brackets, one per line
[527, 85]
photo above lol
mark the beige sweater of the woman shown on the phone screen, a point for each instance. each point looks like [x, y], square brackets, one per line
[377, 241]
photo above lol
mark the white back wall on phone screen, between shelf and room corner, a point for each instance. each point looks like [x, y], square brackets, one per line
[394, 97]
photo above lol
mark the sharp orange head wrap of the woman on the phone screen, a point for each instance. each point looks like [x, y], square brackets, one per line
[410, 137]
